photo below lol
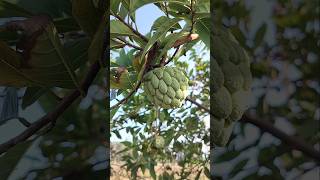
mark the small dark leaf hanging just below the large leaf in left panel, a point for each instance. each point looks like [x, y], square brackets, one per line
[31, 95]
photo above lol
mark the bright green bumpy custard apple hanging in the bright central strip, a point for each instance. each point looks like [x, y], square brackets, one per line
[166, 87]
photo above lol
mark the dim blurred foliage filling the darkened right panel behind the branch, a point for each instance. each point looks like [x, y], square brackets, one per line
[285, 75]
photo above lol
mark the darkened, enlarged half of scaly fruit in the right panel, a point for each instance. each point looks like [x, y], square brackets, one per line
[231, 79]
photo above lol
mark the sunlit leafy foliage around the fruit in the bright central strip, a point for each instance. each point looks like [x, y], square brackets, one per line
[182, 129]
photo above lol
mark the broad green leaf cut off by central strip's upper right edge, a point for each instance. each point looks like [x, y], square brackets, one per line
[203, 28]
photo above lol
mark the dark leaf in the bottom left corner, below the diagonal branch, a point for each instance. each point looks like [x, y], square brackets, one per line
[9, 161]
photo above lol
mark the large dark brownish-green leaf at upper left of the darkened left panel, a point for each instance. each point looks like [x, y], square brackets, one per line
[43, 62]
